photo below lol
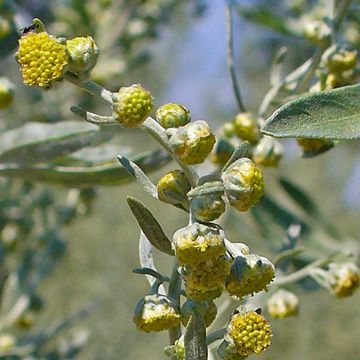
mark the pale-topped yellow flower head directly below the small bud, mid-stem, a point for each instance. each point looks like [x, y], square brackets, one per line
[193, 142]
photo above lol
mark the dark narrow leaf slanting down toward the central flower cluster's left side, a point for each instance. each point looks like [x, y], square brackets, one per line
[150, 226]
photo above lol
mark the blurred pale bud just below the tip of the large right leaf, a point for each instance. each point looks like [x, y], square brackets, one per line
[268, 152]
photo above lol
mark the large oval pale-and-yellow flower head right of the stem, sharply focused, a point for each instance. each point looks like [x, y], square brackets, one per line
[244, 184]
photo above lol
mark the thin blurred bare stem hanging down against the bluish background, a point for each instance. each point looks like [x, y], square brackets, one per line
[230, 56]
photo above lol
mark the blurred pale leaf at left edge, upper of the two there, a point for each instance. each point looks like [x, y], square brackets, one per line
[39, 143]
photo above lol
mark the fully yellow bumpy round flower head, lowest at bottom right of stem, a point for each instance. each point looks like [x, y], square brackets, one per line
[249, 333]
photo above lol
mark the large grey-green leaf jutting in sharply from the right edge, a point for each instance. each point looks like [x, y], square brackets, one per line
[333, 114]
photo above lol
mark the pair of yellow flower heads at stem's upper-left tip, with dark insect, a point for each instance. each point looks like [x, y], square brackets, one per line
[44, 59]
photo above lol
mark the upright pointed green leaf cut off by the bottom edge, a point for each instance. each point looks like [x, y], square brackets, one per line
[195, 338]
